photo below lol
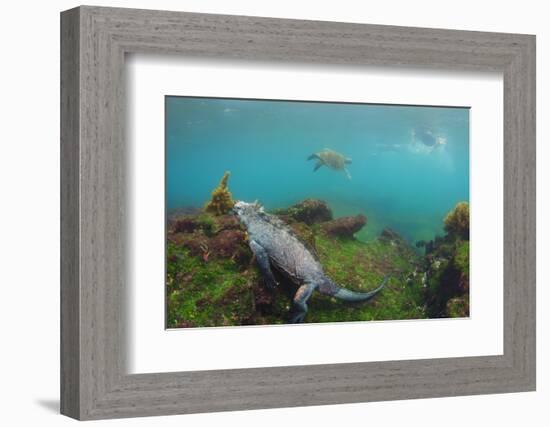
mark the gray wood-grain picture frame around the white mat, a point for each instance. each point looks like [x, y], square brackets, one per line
[94, 41]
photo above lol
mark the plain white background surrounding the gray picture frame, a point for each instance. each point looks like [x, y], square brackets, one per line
[29, 214]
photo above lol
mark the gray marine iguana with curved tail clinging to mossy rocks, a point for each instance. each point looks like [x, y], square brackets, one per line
[273, 244]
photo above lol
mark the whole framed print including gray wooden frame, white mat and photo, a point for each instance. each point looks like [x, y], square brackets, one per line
[290, 191]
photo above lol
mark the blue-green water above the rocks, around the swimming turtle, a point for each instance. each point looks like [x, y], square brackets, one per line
[410, 164]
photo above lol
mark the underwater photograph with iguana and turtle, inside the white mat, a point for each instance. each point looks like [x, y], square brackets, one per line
[285, 212]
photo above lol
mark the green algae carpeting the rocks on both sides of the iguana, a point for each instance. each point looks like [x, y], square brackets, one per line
[220, 291]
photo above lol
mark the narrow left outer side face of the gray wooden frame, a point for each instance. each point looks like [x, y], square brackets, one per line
[70, 291]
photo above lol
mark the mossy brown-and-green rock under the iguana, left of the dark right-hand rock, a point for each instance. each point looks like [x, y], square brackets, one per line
[212, 279]
